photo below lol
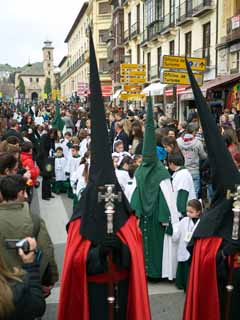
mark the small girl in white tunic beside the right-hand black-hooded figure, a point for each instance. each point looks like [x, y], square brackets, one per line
[182, 233]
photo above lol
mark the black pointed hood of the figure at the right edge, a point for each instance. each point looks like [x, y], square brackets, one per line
[218, 220]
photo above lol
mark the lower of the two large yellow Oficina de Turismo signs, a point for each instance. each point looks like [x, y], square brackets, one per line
[171, 77]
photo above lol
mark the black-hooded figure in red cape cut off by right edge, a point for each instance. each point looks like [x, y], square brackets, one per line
[215, 259]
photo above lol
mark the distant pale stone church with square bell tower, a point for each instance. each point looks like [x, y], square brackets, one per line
[34, 75]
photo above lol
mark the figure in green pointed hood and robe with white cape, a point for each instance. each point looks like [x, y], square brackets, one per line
[154, 202]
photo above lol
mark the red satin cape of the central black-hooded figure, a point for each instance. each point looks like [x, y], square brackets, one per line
[73, 304]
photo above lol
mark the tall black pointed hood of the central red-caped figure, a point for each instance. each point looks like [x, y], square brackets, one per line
[93, 217]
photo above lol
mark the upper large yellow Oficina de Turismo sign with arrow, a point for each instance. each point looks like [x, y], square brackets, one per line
[175, 62]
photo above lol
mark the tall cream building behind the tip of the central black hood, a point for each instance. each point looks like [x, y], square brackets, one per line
[75, 68]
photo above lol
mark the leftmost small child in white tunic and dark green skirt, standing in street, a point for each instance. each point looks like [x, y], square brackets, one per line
[59, 185]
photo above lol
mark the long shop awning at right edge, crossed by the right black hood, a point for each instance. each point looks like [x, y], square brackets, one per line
[212, 84]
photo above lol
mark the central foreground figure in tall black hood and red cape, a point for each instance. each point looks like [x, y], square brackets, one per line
[86, 273]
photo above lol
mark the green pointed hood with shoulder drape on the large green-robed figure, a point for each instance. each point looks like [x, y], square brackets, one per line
[150, 173]
